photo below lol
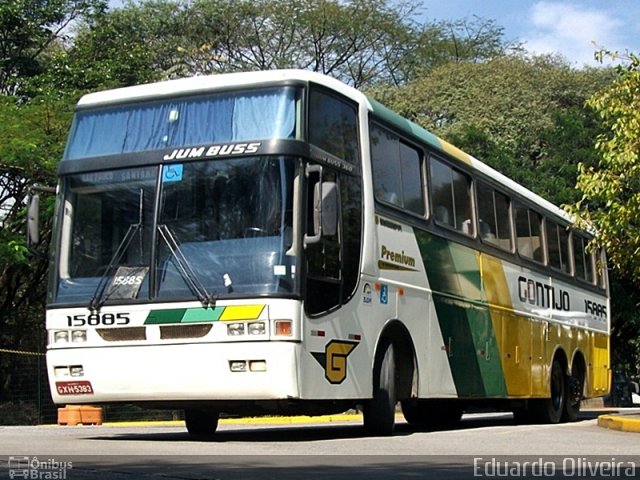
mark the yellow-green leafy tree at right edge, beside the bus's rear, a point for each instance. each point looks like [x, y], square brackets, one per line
[610, 202]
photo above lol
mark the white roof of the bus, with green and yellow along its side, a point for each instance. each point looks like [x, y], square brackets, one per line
[204, 83]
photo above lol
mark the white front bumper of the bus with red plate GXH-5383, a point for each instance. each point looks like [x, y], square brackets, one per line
[174, 373]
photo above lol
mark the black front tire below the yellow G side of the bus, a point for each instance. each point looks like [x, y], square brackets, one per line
[379, 412]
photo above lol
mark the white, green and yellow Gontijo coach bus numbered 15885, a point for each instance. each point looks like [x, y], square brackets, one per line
[279, 243]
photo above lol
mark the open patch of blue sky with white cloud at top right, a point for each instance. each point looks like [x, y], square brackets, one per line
[568, 27]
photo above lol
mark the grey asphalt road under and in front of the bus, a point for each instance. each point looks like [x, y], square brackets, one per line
[337, 450]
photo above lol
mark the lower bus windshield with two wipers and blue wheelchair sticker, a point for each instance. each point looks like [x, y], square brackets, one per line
[215, 228]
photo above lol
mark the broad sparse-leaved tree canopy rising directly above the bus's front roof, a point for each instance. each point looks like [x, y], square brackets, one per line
[362, 42]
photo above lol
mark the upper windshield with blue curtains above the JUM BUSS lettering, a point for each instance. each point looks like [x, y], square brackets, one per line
[226, 117]
